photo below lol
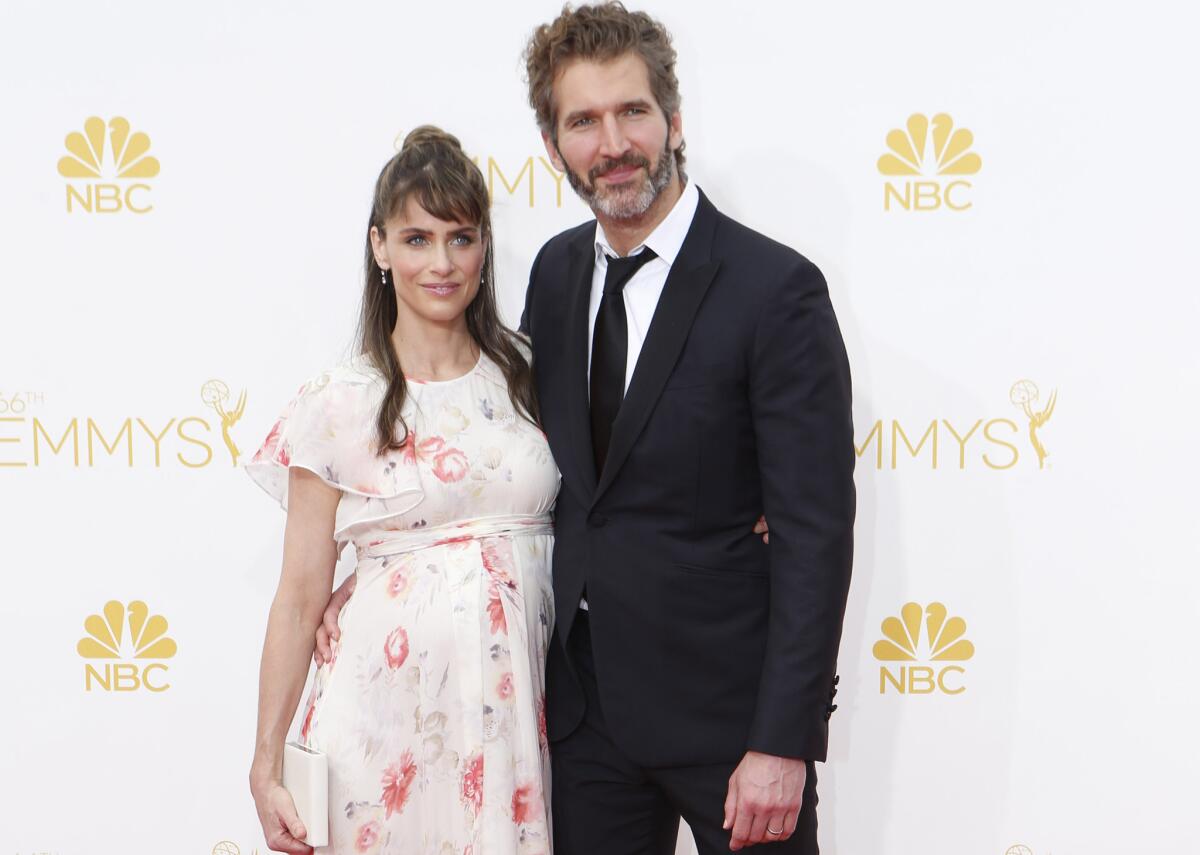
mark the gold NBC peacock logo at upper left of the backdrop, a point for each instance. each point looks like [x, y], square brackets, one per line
[107, 168]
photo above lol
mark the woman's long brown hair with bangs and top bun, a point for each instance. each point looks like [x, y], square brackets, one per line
[433, 169]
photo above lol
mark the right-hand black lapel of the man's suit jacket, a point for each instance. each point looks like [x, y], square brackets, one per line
[686, 288]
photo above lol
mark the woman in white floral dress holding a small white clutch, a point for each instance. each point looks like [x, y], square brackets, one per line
[424, 453]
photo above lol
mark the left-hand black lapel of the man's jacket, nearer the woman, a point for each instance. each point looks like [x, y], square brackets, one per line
[580, 464]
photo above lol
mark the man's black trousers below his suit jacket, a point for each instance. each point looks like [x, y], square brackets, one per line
[604, 804]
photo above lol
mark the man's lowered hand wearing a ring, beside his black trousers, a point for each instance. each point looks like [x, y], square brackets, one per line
[765, 797]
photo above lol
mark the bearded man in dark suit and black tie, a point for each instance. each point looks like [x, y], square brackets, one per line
[691, 374]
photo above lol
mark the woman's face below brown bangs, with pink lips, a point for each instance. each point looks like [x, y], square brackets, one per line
[435, 265]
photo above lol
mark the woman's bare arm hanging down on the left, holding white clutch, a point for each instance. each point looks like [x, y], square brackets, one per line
[310, 555]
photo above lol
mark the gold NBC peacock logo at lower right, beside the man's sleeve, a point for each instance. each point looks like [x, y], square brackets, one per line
[941, 643]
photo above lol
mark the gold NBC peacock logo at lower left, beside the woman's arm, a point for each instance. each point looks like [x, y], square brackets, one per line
[123, 633]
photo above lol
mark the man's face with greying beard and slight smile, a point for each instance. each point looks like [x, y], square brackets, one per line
[614, 141]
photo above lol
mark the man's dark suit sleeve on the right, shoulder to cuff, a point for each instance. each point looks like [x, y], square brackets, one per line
[801, 405]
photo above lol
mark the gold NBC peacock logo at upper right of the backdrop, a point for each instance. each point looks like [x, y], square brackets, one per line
[929, 159]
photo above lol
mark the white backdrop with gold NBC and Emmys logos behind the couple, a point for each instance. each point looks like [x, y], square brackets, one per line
[1070, 262]
